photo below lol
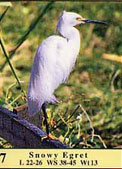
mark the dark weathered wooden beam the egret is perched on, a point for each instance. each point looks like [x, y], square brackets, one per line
[22, 134]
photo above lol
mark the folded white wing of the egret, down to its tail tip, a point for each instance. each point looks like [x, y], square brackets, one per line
[48, 71]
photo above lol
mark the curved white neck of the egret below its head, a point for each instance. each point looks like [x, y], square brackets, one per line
[72, 35]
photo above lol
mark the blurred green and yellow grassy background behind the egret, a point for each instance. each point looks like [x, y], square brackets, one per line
[89, 114]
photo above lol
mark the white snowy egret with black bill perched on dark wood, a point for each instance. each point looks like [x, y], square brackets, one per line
[53, 62]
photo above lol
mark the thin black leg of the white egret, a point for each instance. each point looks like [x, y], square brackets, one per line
[45, 118]
